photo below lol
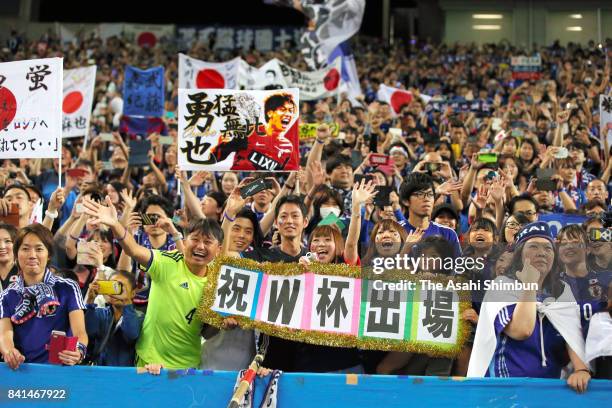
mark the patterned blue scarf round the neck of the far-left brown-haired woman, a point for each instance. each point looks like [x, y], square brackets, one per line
[39, 299]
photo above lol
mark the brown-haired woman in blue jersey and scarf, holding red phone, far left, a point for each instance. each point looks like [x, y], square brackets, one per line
[39, 303]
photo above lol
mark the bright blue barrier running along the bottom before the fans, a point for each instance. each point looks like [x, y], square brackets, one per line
[123, 387]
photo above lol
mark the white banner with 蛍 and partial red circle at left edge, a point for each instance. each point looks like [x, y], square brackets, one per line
[31, 108]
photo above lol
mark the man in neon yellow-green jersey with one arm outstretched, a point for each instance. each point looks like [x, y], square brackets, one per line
[170, 335]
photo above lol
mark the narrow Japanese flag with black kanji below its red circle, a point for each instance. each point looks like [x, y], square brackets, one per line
[77, 101]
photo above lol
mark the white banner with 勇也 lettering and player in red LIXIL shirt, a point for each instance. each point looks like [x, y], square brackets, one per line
[222, 129]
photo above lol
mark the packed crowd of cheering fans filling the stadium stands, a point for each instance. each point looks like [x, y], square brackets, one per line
[444, 201]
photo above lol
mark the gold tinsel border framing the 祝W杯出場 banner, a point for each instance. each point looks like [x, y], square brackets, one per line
[207, 315]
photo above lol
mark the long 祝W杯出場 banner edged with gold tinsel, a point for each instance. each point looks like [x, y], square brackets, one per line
[330, 305]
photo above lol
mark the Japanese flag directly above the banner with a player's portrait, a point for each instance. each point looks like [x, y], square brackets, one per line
[196, 74]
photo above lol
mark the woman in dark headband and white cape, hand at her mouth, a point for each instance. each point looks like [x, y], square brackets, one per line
[524, 332]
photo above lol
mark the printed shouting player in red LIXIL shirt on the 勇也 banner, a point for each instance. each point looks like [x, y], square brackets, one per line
[267, 148]
